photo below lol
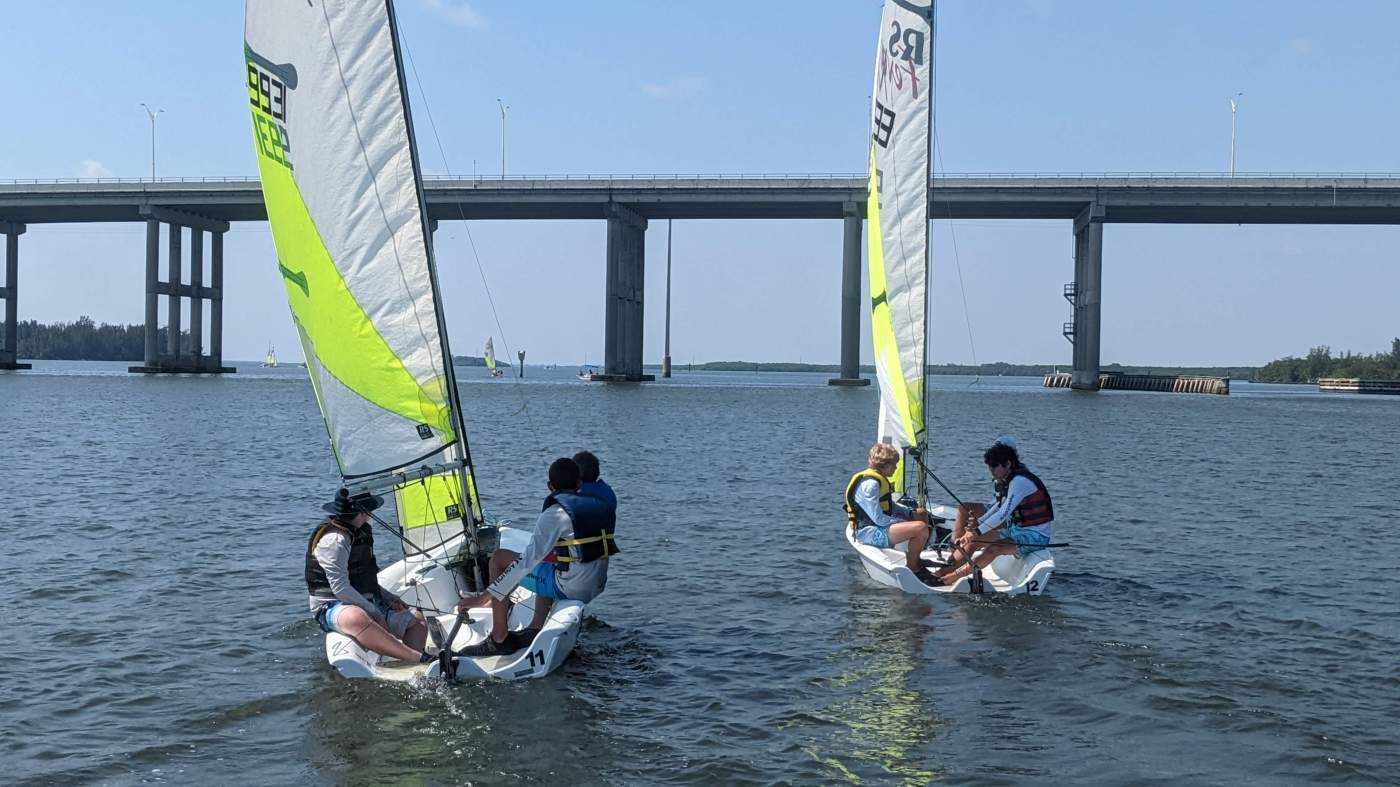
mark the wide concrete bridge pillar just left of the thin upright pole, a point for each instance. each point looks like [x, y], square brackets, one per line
[624, 305]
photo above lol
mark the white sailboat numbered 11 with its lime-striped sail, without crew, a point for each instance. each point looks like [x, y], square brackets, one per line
[344, 191]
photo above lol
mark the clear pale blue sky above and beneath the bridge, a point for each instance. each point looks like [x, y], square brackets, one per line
[629, 88]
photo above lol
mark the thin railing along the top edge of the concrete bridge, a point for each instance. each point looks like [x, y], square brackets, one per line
[1135, 174]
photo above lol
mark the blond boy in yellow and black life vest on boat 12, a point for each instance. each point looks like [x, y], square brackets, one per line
[877, 519]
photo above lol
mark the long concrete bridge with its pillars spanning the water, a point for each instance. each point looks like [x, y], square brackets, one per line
[628, 204]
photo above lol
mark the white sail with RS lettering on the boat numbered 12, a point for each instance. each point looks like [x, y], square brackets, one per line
[898, 218]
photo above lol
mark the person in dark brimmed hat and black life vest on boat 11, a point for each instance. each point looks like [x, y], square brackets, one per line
[344, 582]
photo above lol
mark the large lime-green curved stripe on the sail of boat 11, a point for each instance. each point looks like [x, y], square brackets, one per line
[346, 342]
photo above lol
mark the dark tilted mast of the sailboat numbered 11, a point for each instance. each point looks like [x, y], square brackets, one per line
[461, 449]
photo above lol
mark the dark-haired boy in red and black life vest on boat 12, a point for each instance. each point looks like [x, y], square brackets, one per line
[1017, 524]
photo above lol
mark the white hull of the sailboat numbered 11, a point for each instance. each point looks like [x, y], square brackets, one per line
[429, 586]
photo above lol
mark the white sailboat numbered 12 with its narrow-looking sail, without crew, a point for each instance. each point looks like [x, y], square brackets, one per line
[899, 272]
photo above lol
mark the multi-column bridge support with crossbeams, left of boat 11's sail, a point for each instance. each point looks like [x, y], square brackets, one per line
[181, 358]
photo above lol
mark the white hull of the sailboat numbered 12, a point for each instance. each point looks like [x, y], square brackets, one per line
[1006, 575]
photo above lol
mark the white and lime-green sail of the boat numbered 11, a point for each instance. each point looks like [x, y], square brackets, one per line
[344, 195]
